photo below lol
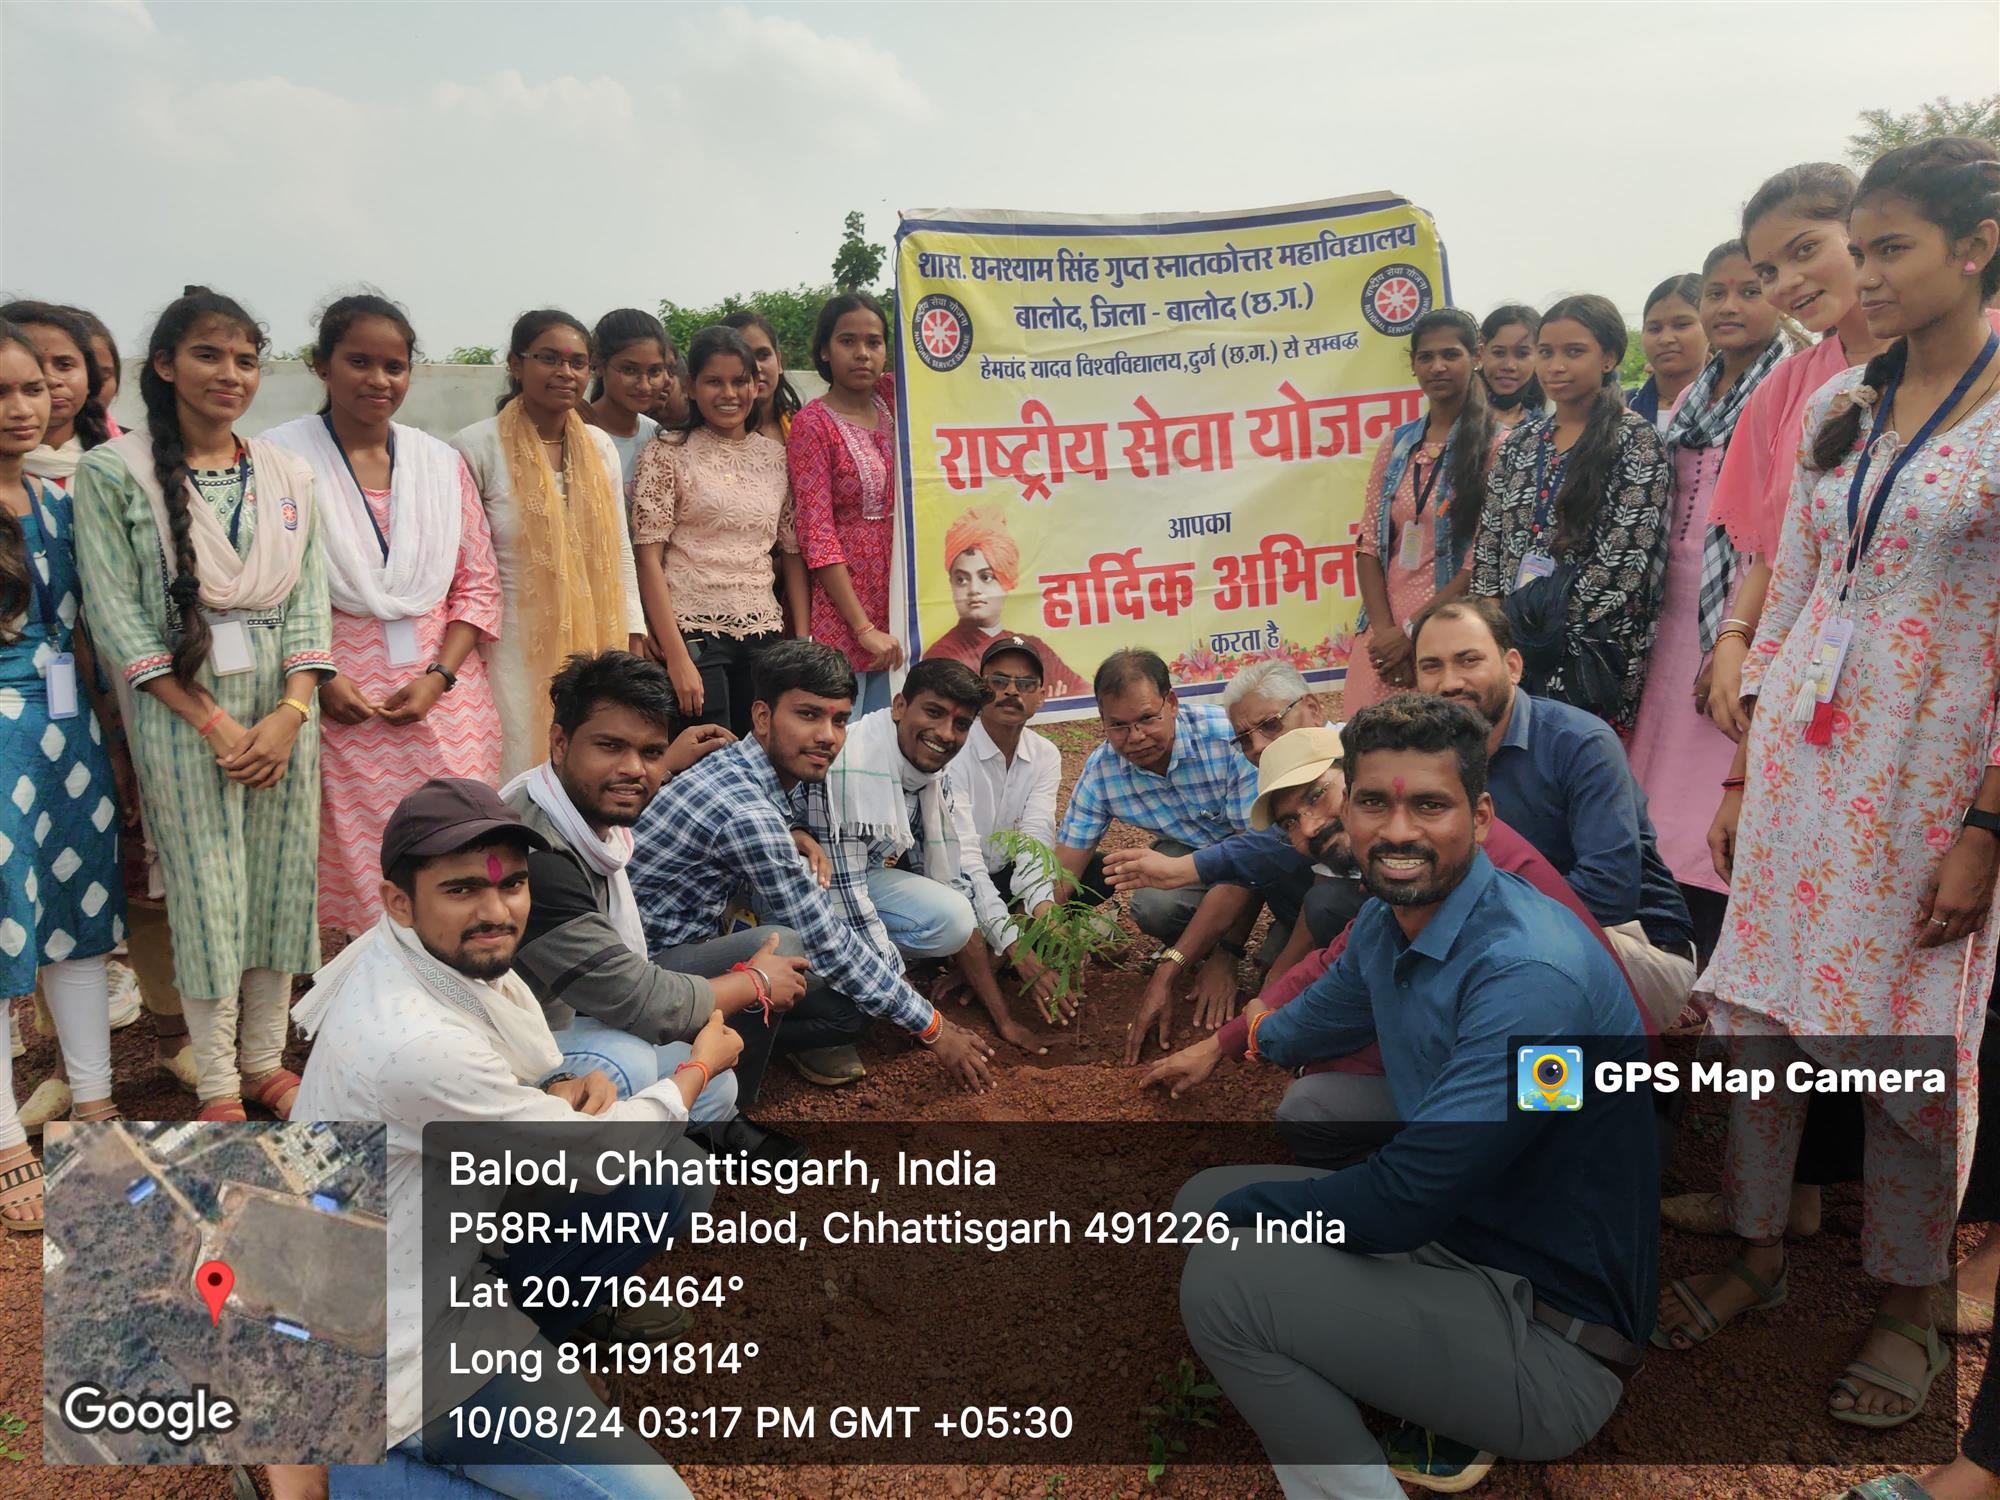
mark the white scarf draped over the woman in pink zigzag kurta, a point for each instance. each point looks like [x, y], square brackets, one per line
[425, 507]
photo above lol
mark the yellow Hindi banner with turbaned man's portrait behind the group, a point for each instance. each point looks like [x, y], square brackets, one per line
[1151, 431]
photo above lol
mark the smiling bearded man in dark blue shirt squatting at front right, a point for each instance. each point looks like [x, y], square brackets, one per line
[1497, 1269]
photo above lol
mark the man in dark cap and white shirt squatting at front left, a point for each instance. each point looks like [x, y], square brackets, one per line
[417, 1023]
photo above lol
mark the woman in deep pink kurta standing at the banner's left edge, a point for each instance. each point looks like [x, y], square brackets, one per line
[843, 463]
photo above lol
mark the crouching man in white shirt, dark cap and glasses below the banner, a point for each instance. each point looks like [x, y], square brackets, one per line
[1011, 775]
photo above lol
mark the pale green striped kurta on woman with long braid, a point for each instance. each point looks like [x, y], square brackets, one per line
[239, 865]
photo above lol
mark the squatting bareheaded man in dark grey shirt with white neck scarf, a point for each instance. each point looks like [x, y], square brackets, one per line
[615, 1007]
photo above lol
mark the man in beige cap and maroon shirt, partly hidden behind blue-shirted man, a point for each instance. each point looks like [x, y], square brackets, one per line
[1341, 1109]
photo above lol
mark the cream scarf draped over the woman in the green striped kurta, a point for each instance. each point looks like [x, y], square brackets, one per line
[267, 577]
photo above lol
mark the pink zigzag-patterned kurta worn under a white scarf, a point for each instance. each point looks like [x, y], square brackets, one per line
[371, 767]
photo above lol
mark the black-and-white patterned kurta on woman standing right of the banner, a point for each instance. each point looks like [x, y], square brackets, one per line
[1623, 563]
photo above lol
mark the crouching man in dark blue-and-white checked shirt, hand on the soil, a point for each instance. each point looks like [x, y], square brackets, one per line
[721, 835]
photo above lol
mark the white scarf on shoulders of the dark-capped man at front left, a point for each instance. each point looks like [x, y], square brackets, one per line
[391, 955]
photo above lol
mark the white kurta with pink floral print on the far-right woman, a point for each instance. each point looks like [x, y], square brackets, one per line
[1837, 843]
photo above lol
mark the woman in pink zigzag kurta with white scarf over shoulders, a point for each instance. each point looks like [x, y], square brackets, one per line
[415, 593]
